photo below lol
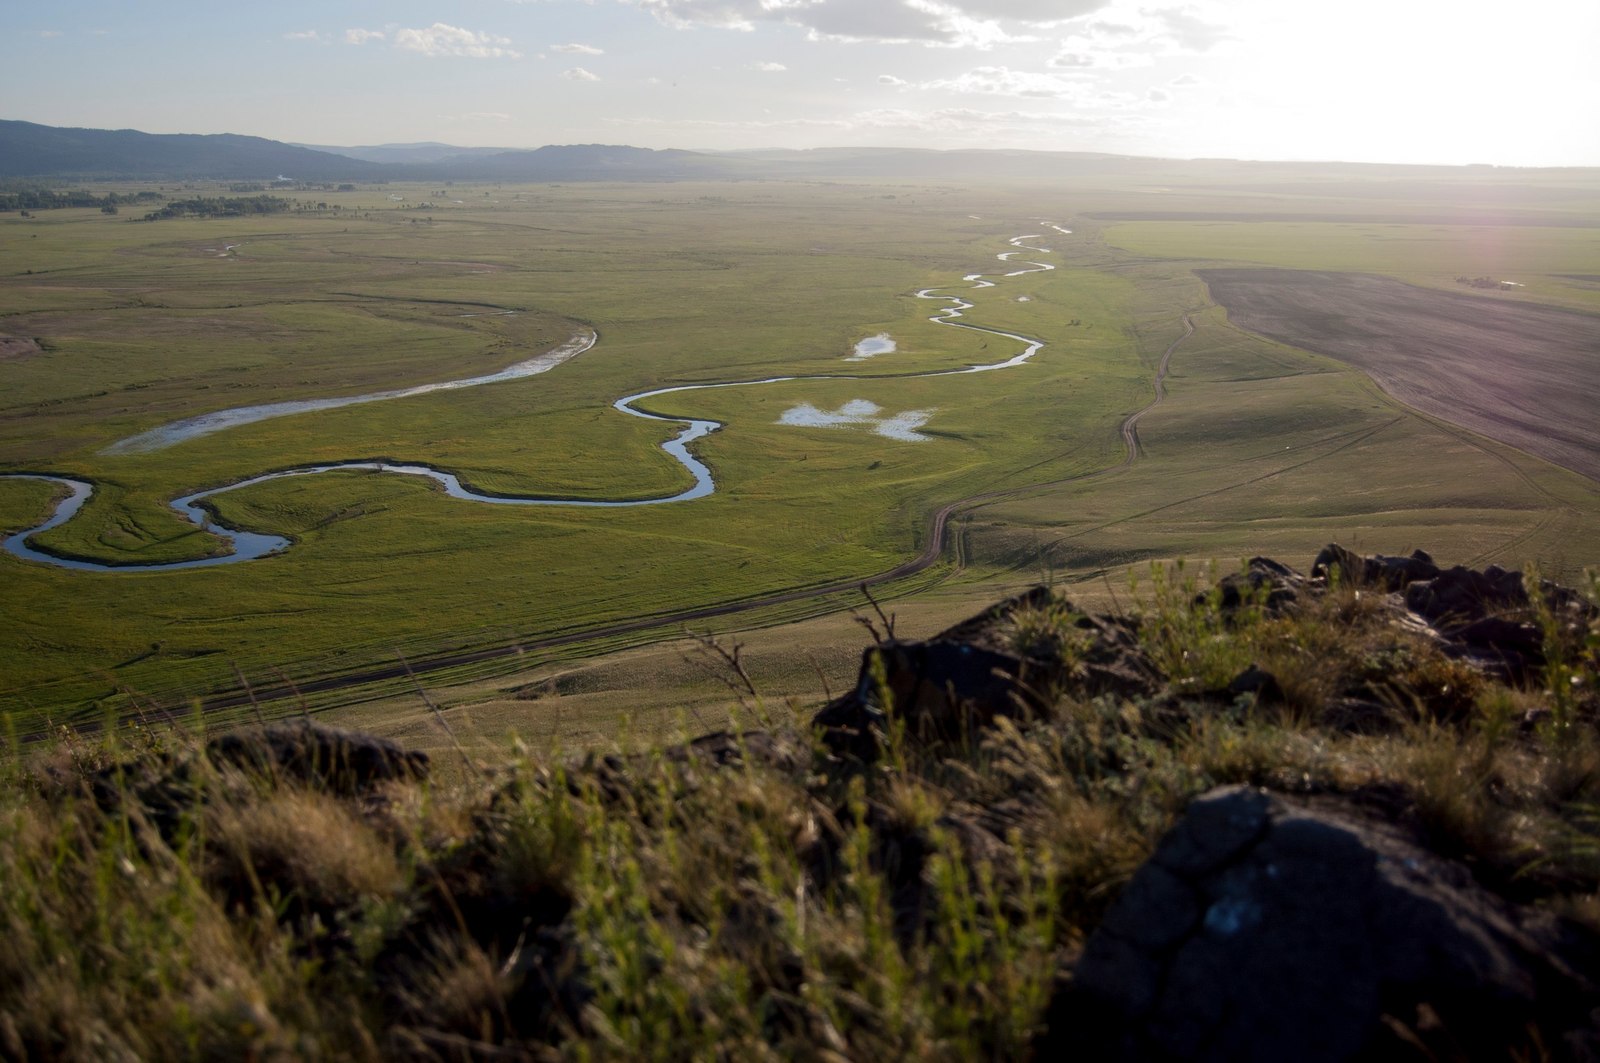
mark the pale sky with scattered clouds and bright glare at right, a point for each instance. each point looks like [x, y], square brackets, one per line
[1358, 81]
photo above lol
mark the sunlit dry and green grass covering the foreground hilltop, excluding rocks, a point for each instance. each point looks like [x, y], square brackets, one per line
[746, 897]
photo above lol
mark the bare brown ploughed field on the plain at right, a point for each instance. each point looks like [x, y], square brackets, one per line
[1524, 375]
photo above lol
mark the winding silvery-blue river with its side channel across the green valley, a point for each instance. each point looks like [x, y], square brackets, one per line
[254, 545]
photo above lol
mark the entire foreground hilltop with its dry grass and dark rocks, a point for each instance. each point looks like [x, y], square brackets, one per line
[1319, 816]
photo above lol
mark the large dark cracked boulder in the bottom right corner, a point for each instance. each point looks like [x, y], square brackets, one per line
[1271, 929]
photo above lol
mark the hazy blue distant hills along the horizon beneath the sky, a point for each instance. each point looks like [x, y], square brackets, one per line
[30, 151]
